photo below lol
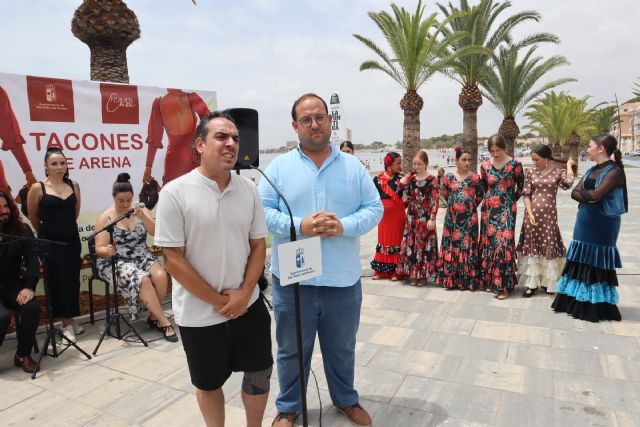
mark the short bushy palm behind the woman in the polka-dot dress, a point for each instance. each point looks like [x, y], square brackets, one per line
[562, 118]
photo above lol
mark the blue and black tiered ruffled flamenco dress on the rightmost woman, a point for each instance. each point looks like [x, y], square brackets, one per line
[587, 289]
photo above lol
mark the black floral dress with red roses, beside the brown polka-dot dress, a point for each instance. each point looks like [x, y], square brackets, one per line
[503, 187]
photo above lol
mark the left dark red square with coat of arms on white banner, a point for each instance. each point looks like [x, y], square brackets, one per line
[50, 100]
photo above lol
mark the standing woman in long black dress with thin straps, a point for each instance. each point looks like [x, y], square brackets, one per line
[53, 207]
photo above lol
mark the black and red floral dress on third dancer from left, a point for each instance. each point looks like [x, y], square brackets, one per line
[458, 264]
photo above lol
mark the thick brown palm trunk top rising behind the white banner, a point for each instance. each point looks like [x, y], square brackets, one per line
[108, 27]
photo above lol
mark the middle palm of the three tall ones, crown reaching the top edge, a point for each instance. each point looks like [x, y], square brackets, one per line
[471, 70]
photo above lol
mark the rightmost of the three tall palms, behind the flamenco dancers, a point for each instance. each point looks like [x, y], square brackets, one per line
[510, 84]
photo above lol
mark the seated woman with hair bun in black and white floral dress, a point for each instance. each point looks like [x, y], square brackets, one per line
[139, 275]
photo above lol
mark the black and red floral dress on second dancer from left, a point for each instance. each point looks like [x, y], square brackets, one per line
[419, 249]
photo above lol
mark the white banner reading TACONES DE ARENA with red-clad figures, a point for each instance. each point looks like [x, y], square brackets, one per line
[102, 128]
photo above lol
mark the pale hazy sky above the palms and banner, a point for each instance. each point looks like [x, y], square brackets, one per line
[263, 54]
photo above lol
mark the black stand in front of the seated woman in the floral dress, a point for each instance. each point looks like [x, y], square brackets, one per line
[113, 319]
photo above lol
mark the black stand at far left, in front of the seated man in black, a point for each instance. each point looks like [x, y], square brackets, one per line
[50, 338]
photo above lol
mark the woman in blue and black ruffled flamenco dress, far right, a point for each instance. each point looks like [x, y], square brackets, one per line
[587, 289]
